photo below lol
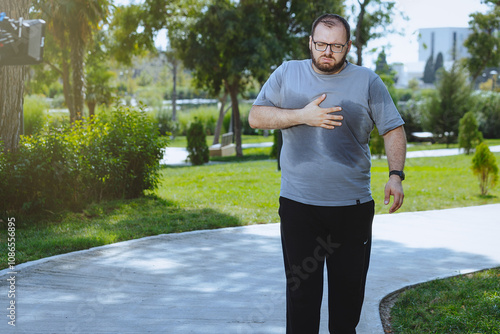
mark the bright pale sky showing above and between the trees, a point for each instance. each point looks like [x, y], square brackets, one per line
[421, 14]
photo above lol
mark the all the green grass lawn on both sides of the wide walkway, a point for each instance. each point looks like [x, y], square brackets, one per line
[236, 193]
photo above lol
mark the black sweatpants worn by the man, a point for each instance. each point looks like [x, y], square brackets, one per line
[342, 236]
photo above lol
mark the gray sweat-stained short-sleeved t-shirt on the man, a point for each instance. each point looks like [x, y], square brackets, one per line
[329, 167]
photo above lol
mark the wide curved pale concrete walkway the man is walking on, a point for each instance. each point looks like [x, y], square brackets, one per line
[230, 280]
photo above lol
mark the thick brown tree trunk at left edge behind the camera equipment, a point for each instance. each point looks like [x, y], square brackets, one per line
[12, 85]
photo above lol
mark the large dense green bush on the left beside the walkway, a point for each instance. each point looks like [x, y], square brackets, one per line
[107, 157]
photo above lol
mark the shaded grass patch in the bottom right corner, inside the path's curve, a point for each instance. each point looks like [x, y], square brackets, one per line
[462, 304]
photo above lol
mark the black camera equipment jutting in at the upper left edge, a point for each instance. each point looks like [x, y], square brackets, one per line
[21, 41]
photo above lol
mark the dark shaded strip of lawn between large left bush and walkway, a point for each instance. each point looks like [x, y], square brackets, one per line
[107, 223]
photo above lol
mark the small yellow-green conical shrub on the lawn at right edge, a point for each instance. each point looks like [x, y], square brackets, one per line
[485, 168]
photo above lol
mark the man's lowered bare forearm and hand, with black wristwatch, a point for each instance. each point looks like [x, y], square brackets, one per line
[395, 148]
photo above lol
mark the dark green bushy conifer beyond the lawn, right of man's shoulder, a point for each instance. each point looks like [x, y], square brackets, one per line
[449, 104]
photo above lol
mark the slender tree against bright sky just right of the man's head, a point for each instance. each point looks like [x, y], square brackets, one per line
[372, 14]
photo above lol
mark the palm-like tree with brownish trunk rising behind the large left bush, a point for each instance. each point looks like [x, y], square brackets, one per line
[72, 23]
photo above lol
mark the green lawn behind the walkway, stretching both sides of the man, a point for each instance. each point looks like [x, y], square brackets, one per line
[228, 194]
